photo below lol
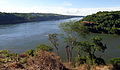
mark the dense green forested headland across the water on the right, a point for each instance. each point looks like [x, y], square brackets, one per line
[101, 22]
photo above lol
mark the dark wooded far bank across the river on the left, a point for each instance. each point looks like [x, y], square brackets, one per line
[11, 18]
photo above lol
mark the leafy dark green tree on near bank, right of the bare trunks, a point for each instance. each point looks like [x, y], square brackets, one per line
[89, 48]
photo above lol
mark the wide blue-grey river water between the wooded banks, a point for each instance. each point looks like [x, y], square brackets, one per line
[21, 37]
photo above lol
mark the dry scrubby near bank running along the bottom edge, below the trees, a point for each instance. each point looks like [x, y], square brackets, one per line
[42, 60]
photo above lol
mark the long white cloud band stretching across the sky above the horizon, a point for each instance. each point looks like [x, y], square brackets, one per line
[59, 10]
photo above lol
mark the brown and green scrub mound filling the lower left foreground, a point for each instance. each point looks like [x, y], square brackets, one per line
[42, 60]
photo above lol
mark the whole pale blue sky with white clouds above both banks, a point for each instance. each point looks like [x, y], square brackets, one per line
[66, 7]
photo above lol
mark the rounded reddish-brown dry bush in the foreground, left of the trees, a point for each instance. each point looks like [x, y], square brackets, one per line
[45, 61]
